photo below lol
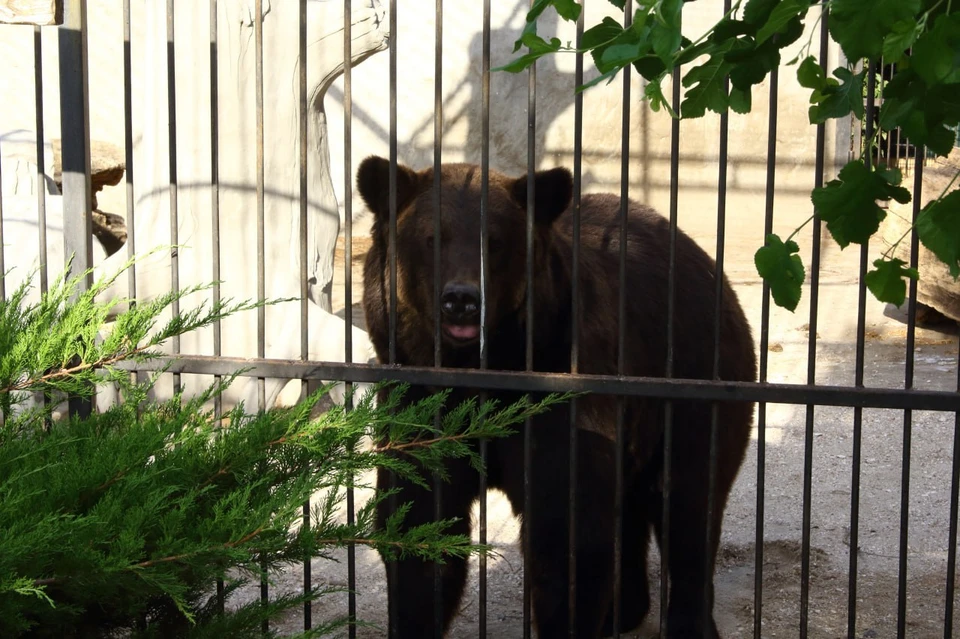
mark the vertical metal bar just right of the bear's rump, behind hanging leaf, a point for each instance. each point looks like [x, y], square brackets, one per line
[764, 356]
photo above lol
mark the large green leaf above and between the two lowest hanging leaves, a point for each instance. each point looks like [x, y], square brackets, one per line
[849, 204]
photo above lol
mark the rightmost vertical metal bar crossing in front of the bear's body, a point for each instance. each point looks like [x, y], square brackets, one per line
[668, 369]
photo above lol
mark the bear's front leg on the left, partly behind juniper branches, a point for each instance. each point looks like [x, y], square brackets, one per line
[411, 588]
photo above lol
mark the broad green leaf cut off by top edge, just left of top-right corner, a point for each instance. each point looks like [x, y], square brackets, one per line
[860, 26]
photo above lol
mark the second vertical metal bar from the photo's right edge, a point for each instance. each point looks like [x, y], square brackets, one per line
[908, 414]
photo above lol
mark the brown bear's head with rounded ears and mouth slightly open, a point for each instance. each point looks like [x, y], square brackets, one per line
[459, 243]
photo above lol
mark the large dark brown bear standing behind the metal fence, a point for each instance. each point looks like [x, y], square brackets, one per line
[691, 558]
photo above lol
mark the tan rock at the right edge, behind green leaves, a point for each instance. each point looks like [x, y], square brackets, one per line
[936, 288]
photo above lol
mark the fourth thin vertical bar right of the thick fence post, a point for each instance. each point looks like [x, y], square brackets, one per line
[261, 266]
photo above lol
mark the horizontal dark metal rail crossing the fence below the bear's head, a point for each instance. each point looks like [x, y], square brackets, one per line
[690, 389]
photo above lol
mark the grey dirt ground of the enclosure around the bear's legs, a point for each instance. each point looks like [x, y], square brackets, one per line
[930, 447]
